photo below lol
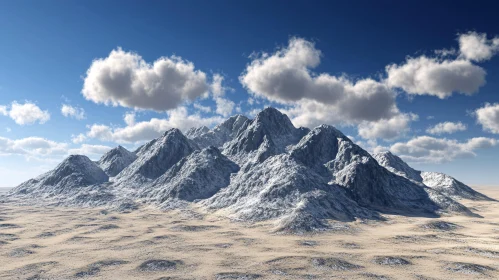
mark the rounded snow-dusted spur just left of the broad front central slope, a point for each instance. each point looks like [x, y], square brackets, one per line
[197, 176]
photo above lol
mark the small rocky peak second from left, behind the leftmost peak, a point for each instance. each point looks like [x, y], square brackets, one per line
[114, 161]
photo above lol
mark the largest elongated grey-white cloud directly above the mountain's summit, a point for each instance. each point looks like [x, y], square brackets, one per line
[286, 77]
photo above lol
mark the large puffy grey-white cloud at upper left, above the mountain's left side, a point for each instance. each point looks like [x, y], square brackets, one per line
[126, 79]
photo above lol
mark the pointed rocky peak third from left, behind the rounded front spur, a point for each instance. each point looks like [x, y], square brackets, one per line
[155, 158]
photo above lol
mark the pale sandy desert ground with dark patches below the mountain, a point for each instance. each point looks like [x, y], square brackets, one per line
[69, 243]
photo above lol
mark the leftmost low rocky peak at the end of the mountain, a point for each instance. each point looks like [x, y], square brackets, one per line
[74, 172]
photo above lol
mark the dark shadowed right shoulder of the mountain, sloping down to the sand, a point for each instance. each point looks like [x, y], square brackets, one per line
[326, 149]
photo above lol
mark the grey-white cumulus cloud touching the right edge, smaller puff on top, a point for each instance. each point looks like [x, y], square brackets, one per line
[452, 71]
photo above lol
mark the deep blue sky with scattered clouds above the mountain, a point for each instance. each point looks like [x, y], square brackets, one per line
[320, 62]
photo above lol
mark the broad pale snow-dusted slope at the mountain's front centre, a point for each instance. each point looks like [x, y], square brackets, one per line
[281, 188]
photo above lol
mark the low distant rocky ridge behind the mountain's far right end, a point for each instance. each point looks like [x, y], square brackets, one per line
[439, 182]
